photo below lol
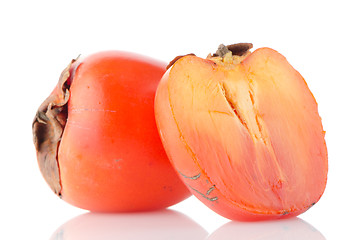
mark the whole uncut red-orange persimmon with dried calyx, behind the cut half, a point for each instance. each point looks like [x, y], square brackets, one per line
[96, 137]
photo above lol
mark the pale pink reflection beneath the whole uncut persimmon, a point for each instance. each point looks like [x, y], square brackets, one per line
[165, 224]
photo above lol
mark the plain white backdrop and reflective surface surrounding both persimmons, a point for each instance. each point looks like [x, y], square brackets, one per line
[321, 39]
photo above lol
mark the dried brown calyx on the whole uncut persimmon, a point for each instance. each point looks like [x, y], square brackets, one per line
[48, 127]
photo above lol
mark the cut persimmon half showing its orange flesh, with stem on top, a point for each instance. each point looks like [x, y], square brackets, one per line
[242, 129]
